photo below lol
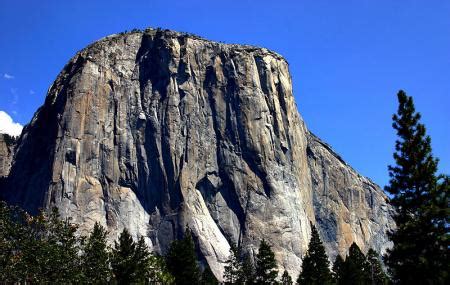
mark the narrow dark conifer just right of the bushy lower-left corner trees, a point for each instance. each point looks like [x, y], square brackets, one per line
[95, 257]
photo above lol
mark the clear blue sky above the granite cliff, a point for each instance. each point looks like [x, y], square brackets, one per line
[347, 58]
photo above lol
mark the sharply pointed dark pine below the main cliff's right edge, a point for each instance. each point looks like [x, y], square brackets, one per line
[315, 266]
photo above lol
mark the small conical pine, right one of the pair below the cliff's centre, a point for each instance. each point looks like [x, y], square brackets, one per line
[265, 271]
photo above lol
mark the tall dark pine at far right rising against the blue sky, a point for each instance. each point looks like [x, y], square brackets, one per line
[421, 240]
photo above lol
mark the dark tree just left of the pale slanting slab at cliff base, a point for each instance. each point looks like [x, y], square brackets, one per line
[182, 261]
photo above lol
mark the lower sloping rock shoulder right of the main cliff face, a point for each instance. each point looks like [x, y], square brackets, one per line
[348, 207]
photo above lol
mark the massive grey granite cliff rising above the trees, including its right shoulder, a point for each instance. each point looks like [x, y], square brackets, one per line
[157, 130]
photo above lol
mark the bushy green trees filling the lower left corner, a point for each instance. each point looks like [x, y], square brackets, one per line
[39, 249]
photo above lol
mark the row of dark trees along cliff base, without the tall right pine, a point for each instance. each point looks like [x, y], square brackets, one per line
[47, 249]
